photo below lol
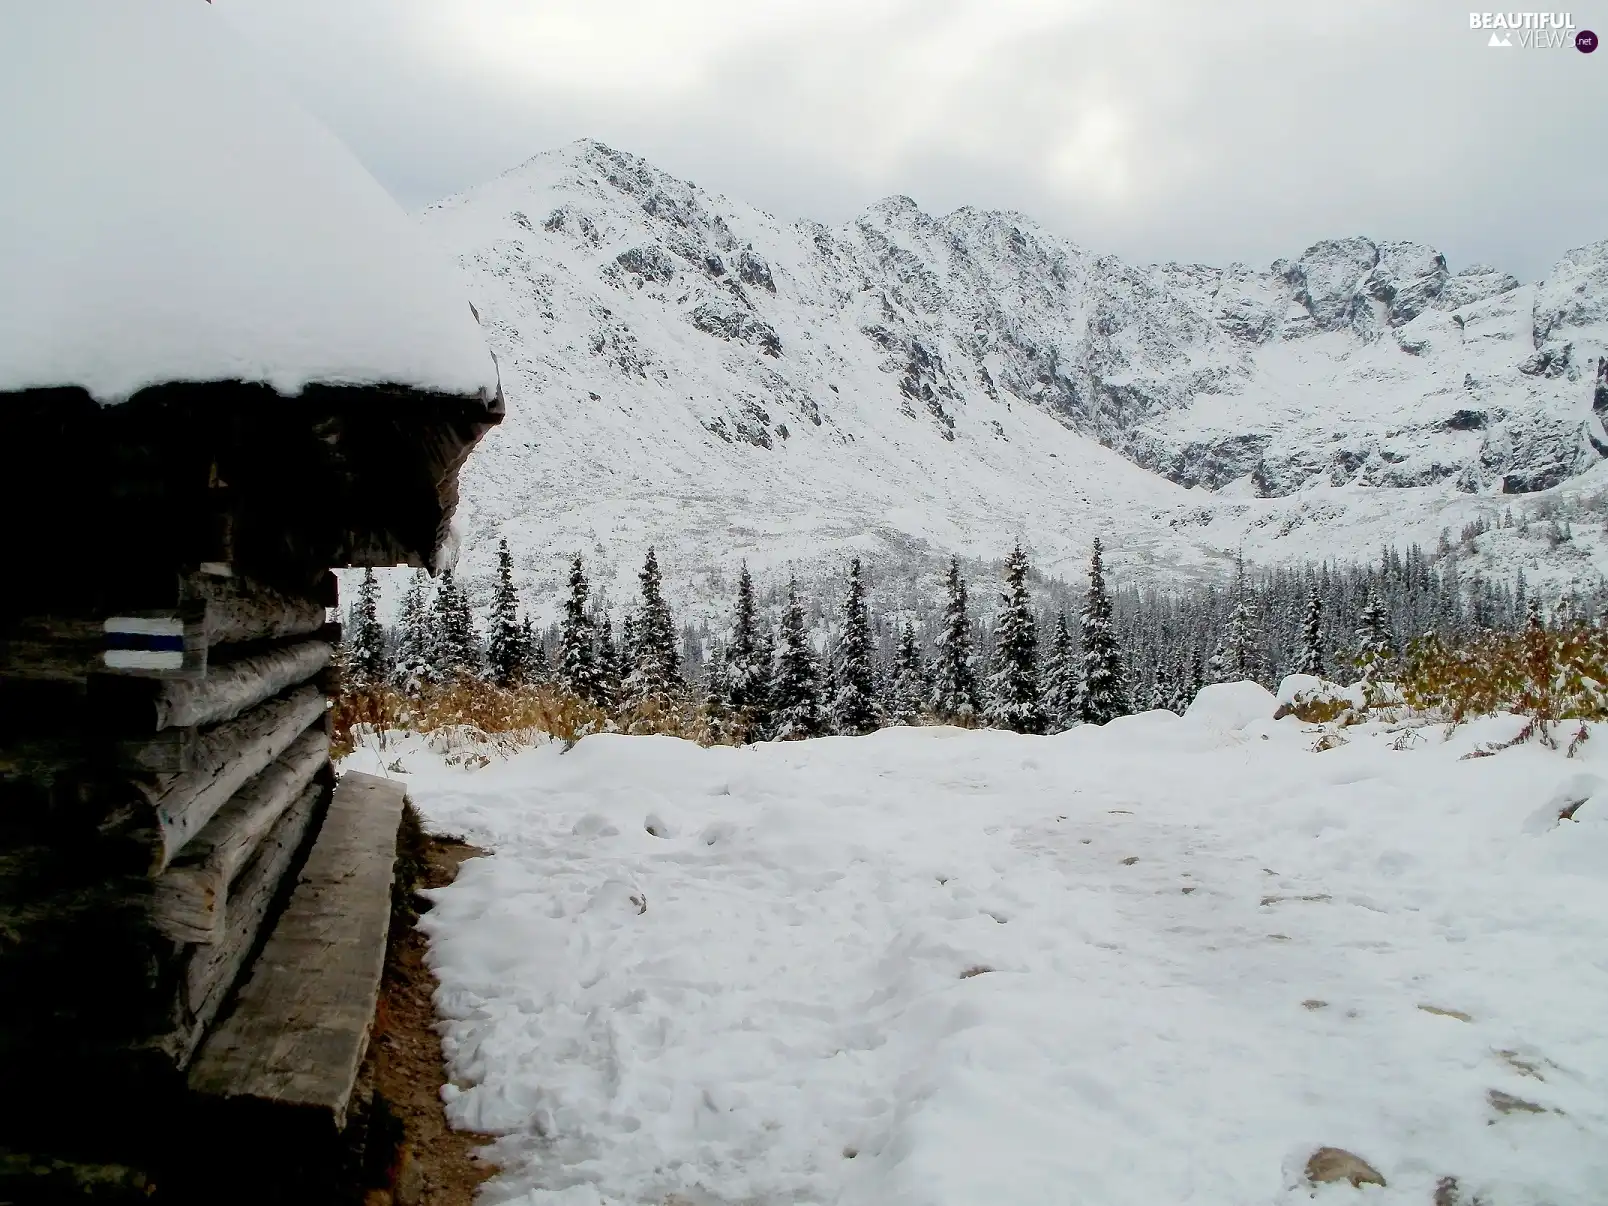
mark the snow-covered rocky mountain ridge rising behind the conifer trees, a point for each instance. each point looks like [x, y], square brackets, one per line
[692, 372]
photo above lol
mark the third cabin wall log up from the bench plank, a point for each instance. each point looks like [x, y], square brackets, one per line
[228, 757]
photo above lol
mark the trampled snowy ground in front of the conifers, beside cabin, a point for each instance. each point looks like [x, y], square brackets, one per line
[1157, 962]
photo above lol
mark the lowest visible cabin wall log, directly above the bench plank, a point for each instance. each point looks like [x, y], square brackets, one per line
[215, 969]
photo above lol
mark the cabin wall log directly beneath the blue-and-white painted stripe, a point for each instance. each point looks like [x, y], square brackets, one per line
[224, 694]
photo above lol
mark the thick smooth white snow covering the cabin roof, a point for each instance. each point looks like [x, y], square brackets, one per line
[166, 215]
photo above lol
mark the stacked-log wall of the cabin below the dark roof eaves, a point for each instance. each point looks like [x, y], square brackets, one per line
[160, 777]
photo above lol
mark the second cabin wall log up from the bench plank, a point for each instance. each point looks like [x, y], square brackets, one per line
[189, 903]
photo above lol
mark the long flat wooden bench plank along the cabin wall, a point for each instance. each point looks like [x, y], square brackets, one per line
[300, 1027]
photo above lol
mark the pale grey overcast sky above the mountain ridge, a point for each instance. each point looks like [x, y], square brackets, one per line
[1154, 129]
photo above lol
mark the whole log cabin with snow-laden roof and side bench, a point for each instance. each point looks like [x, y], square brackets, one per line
[229, 363]
